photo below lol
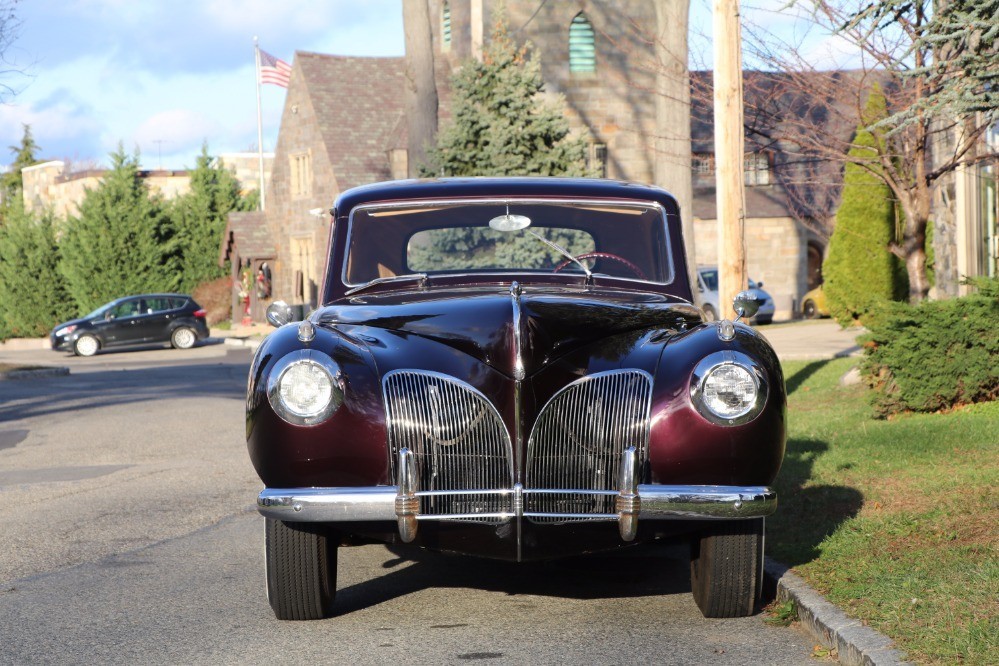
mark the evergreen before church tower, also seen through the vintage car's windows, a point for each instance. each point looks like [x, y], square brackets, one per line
[502, 126]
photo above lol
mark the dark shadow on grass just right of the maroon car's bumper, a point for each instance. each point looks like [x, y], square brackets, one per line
[806, 514]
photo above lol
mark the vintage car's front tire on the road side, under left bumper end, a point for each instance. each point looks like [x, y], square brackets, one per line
[301, 570]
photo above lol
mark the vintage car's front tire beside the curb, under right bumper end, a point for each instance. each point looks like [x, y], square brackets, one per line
[726, 568]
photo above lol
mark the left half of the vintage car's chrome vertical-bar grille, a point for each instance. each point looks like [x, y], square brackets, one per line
[463, 452]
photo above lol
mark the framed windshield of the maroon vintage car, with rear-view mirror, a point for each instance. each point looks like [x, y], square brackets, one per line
[623, 239]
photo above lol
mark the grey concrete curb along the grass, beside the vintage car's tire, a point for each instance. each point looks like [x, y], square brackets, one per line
[856, 644]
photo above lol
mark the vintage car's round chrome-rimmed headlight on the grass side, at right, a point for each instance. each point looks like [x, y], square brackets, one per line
[728, 388]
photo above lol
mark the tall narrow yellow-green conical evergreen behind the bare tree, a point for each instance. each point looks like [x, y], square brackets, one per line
[859, 270]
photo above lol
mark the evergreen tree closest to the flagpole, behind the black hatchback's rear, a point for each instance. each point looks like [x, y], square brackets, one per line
[199, 219]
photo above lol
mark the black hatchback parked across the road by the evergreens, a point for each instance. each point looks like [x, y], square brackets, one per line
[134, 320]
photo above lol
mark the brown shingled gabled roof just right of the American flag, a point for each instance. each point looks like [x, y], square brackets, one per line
[358, 102]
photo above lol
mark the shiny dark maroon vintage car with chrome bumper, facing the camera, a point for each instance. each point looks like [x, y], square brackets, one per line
[512, 368]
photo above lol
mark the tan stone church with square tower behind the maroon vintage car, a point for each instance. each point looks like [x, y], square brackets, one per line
[343, 126]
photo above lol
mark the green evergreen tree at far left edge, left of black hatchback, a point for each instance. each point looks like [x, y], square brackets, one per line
[32, 290]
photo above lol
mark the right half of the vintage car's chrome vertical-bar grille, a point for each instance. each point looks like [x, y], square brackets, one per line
[574, 453]
